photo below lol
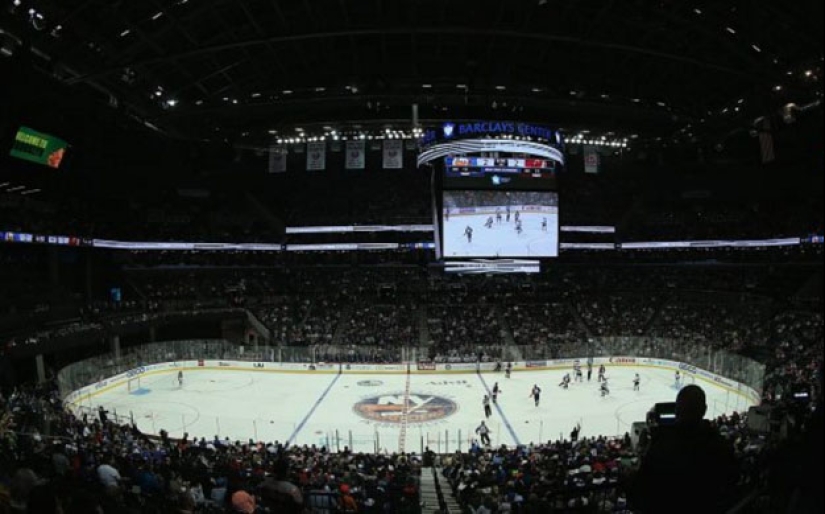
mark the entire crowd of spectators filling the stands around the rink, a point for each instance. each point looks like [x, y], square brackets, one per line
[372, 313]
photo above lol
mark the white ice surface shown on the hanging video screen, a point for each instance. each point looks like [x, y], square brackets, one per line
[501, 240]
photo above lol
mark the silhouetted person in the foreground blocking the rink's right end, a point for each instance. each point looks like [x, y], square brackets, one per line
[689, 468]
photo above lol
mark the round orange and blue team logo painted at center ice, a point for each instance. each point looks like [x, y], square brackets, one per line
[420, 409]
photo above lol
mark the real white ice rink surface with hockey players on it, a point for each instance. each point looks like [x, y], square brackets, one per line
[369, 410]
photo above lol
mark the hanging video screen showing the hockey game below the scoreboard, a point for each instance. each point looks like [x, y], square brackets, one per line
[500, 224]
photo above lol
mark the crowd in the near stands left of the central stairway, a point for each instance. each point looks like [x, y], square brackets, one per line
[52, 461]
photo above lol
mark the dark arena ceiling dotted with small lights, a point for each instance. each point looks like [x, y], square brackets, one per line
[261, 68]
